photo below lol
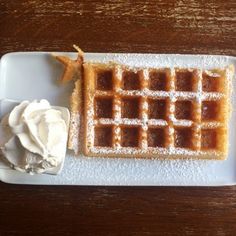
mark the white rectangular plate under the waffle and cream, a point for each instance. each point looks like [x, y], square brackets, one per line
[34, 75]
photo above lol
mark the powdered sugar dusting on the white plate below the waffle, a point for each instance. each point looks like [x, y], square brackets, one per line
[129, 171]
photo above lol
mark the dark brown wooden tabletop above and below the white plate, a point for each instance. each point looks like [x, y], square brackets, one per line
[118, 26]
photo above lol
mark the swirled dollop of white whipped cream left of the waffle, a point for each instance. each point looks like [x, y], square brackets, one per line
[35, 137]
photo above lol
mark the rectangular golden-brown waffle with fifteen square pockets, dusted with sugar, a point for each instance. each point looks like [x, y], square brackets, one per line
[155, 113]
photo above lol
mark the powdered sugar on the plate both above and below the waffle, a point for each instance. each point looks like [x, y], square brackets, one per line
[128, 171]
